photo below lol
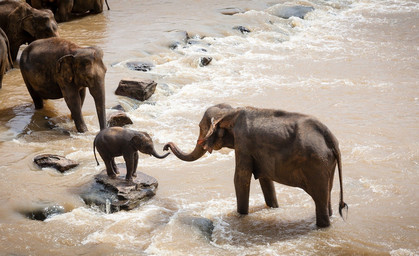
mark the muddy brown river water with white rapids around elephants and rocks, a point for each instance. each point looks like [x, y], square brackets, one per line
[352, 64]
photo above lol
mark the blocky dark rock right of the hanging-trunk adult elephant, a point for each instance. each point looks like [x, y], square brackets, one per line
[139, 90]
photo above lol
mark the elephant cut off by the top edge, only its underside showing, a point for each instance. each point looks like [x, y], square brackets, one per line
[63, 8]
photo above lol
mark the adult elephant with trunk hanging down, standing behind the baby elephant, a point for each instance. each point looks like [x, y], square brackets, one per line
[54, 68]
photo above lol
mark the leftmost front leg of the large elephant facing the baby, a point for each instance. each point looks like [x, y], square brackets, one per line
[242, 177]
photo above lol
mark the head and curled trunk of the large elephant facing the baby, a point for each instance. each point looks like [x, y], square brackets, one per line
[215, 132]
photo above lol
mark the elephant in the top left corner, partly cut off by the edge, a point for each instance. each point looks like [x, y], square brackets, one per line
[24, 24]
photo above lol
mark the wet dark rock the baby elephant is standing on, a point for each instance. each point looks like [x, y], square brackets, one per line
[112, 195]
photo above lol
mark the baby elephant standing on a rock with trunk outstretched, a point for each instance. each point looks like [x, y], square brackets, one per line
[117, 141]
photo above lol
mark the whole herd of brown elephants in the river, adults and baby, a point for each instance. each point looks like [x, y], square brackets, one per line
[272, 145]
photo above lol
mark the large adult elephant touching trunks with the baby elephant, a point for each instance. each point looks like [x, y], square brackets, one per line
[273, 145]
